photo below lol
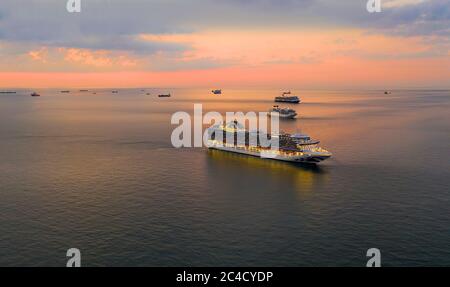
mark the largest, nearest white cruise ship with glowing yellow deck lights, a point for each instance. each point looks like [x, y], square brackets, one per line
[292, 148]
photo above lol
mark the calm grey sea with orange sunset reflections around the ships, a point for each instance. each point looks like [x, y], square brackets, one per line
[98, 172]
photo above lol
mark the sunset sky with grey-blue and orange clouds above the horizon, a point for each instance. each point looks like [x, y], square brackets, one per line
[221, 43]
